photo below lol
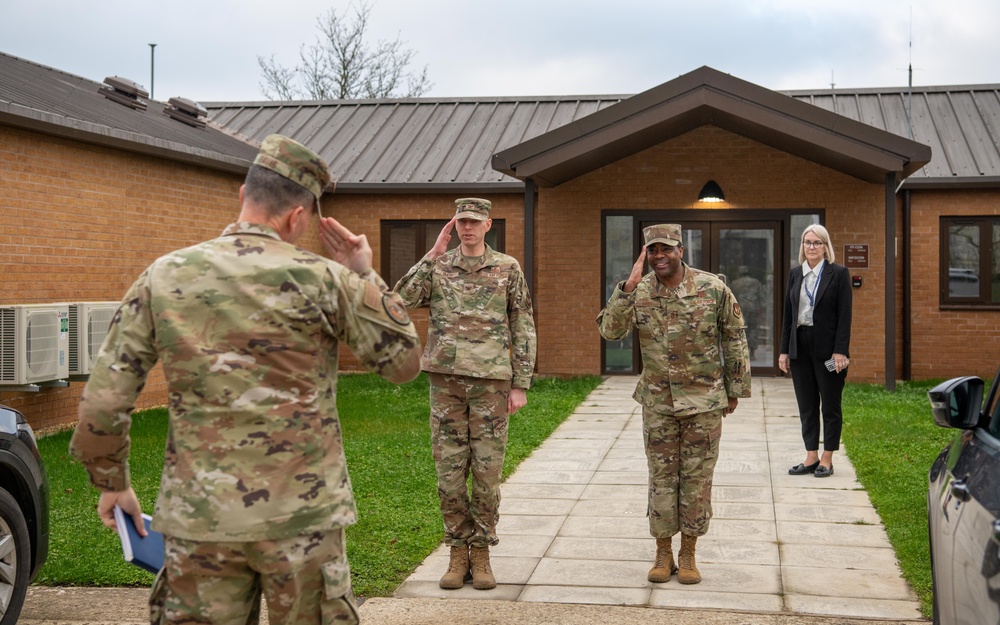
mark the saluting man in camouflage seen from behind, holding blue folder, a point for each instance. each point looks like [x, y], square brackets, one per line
[255, 494]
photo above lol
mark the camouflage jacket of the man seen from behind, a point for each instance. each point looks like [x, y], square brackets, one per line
[247, 328]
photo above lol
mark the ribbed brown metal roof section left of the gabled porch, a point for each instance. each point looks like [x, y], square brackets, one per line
[406, 144]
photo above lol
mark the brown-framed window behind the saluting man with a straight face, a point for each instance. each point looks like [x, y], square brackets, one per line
[404, 242]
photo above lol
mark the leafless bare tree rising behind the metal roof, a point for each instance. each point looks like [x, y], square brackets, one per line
[342, 65]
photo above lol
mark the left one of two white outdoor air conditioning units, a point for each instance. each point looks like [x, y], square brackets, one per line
[34, 343]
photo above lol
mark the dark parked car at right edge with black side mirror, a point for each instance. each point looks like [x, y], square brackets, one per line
[963, 504]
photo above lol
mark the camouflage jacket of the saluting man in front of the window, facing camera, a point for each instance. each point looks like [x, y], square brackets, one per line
[478, 311]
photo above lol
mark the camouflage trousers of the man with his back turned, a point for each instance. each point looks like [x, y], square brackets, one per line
[306, 580]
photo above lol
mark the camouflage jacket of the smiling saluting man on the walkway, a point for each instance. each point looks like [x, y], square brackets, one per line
[681, 333]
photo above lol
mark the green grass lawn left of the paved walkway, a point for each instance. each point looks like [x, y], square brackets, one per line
[387, 442]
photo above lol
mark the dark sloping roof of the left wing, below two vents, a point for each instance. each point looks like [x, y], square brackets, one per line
[47, 100]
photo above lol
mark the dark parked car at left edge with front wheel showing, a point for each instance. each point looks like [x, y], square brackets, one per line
[24, 512]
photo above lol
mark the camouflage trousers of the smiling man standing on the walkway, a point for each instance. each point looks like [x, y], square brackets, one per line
[681, 453]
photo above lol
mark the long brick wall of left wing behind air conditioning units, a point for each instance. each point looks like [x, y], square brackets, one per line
[79, 222]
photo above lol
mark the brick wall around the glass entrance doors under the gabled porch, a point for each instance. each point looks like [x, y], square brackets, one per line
[669, 176]
